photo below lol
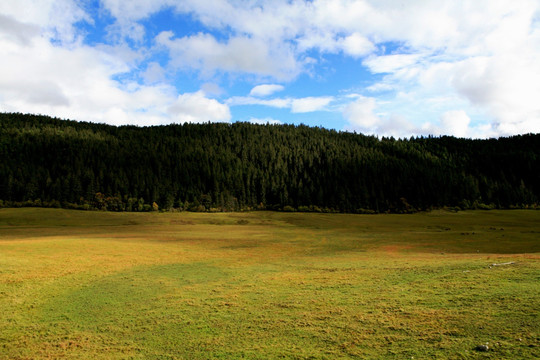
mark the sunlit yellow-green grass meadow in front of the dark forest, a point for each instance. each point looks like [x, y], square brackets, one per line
[266, 285]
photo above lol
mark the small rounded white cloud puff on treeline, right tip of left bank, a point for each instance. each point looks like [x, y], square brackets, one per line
[196, 107]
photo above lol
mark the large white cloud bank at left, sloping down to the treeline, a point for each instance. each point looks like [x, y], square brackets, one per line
[72, 80]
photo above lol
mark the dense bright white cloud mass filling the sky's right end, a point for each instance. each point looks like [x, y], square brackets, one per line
[491, 64]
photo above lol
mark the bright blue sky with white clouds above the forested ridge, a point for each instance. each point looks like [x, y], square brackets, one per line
[467, 68]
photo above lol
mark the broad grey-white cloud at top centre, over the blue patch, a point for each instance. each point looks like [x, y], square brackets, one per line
[258, 34]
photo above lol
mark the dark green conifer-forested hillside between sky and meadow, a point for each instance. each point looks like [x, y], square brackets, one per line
[223, 167]
